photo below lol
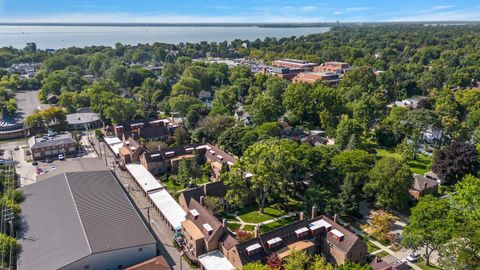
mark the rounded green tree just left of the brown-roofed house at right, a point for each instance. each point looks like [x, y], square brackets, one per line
[389, 183]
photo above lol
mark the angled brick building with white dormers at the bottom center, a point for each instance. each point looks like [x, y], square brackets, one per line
[317, 235]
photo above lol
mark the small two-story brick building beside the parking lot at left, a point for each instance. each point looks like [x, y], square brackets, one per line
[51, 145]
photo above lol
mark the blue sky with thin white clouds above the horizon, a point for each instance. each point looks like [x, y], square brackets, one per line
[236, 11]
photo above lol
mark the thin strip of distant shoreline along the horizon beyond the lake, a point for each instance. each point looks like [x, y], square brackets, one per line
[260, 25]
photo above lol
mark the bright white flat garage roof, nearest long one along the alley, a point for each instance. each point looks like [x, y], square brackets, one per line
[170, 209]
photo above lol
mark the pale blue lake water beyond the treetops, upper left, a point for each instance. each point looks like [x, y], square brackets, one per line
[55, 37]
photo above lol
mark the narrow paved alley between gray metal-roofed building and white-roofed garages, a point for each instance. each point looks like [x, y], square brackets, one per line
[160, 229]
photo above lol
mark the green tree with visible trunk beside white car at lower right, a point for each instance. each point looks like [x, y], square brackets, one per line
[428, 226]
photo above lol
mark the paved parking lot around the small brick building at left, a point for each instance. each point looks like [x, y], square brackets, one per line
[30, 172]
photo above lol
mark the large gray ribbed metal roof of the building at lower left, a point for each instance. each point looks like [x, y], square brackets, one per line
[70, 216]
